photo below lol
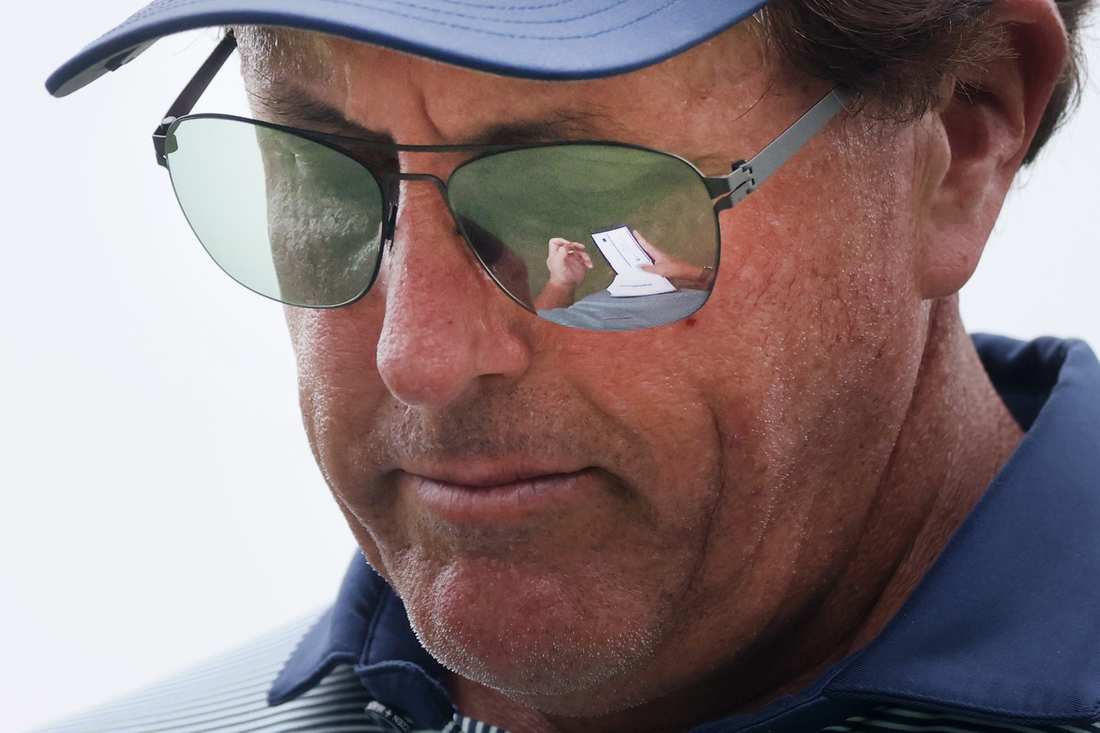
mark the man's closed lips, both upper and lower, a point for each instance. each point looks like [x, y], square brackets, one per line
[475, 497]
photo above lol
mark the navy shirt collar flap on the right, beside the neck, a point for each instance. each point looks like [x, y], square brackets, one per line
[1006, 623]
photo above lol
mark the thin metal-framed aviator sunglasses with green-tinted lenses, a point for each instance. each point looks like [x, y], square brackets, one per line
[600, 236]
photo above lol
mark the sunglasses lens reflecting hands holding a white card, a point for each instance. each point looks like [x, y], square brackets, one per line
[512, 205]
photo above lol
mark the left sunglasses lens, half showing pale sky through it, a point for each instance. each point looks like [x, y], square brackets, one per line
[287, 217]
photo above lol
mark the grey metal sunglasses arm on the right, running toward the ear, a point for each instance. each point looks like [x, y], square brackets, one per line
[750, 176]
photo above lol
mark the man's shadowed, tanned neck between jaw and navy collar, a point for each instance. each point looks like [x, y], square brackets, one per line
[956, 436]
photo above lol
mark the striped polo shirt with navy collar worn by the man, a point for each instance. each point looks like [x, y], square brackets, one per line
[1003, 634]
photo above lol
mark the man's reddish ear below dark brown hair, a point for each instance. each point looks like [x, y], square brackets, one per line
[980, 138]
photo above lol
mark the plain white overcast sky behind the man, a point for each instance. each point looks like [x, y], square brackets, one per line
[160, 504]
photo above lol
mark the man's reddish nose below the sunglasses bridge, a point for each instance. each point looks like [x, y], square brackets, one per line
[448, 329]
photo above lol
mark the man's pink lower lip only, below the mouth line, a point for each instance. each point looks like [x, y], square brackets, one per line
[507, 504]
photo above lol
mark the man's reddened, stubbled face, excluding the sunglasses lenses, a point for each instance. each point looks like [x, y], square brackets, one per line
[587, 521]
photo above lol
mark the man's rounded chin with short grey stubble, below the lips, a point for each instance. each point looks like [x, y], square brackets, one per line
[571, 647]
